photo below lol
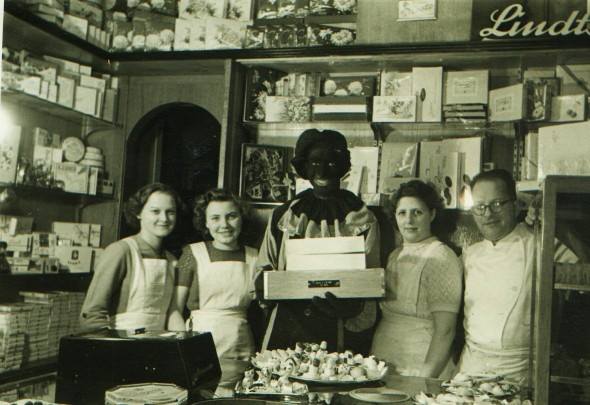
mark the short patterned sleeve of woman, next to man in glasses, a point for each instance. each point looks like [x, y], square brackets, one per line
[442, 282]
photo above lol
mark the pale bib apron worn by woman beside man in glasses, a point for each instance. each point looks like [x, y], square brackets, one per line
[402, 338]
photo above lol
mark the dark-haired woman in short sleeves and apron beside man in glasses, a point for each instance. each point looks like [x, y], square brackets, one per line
[423, 290]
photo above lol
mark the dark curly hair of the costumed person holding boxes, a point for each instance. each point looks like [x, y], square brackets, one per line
[313, 137]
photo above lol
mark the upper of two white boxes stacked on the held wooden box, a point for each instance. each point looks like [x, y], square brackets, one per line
[314, 246]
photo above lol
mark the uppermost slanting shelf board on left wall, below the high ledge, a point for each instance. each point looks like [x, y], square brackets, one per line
[54, 109]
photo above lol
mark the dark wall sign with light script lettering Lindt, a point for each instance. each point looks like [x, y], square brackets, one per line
[518, 21]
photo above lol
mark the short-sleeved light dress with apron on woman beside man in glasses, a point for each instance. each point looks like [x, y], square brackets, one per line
[421, 278]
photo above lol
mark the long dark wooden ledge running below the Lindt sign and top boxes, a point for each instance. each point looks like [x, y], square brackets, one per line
[33, 33]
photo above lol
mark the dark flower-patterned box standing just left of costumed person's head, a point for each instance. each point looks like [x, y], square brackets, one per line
[264, 174]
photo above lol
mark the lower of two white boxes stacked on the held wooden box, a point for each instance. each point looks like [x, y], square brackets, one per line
[337, 261]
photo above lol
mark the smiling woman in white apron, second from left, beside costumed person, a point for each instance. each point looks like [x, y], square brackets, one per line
[216, 277]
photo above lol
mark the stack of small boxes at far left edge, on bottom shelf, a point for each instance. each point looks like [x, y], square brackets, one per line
[13, 326]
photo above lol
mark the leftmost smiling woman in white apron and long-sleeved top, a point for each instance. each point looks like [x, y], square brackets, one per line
[134, 277]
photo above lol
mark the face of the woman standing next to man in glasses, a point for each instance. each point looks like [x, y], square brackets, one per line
[414, 219]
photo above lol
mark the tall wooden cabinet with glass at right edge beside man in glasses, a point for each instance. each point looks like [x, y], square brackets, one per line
[561, 305]
